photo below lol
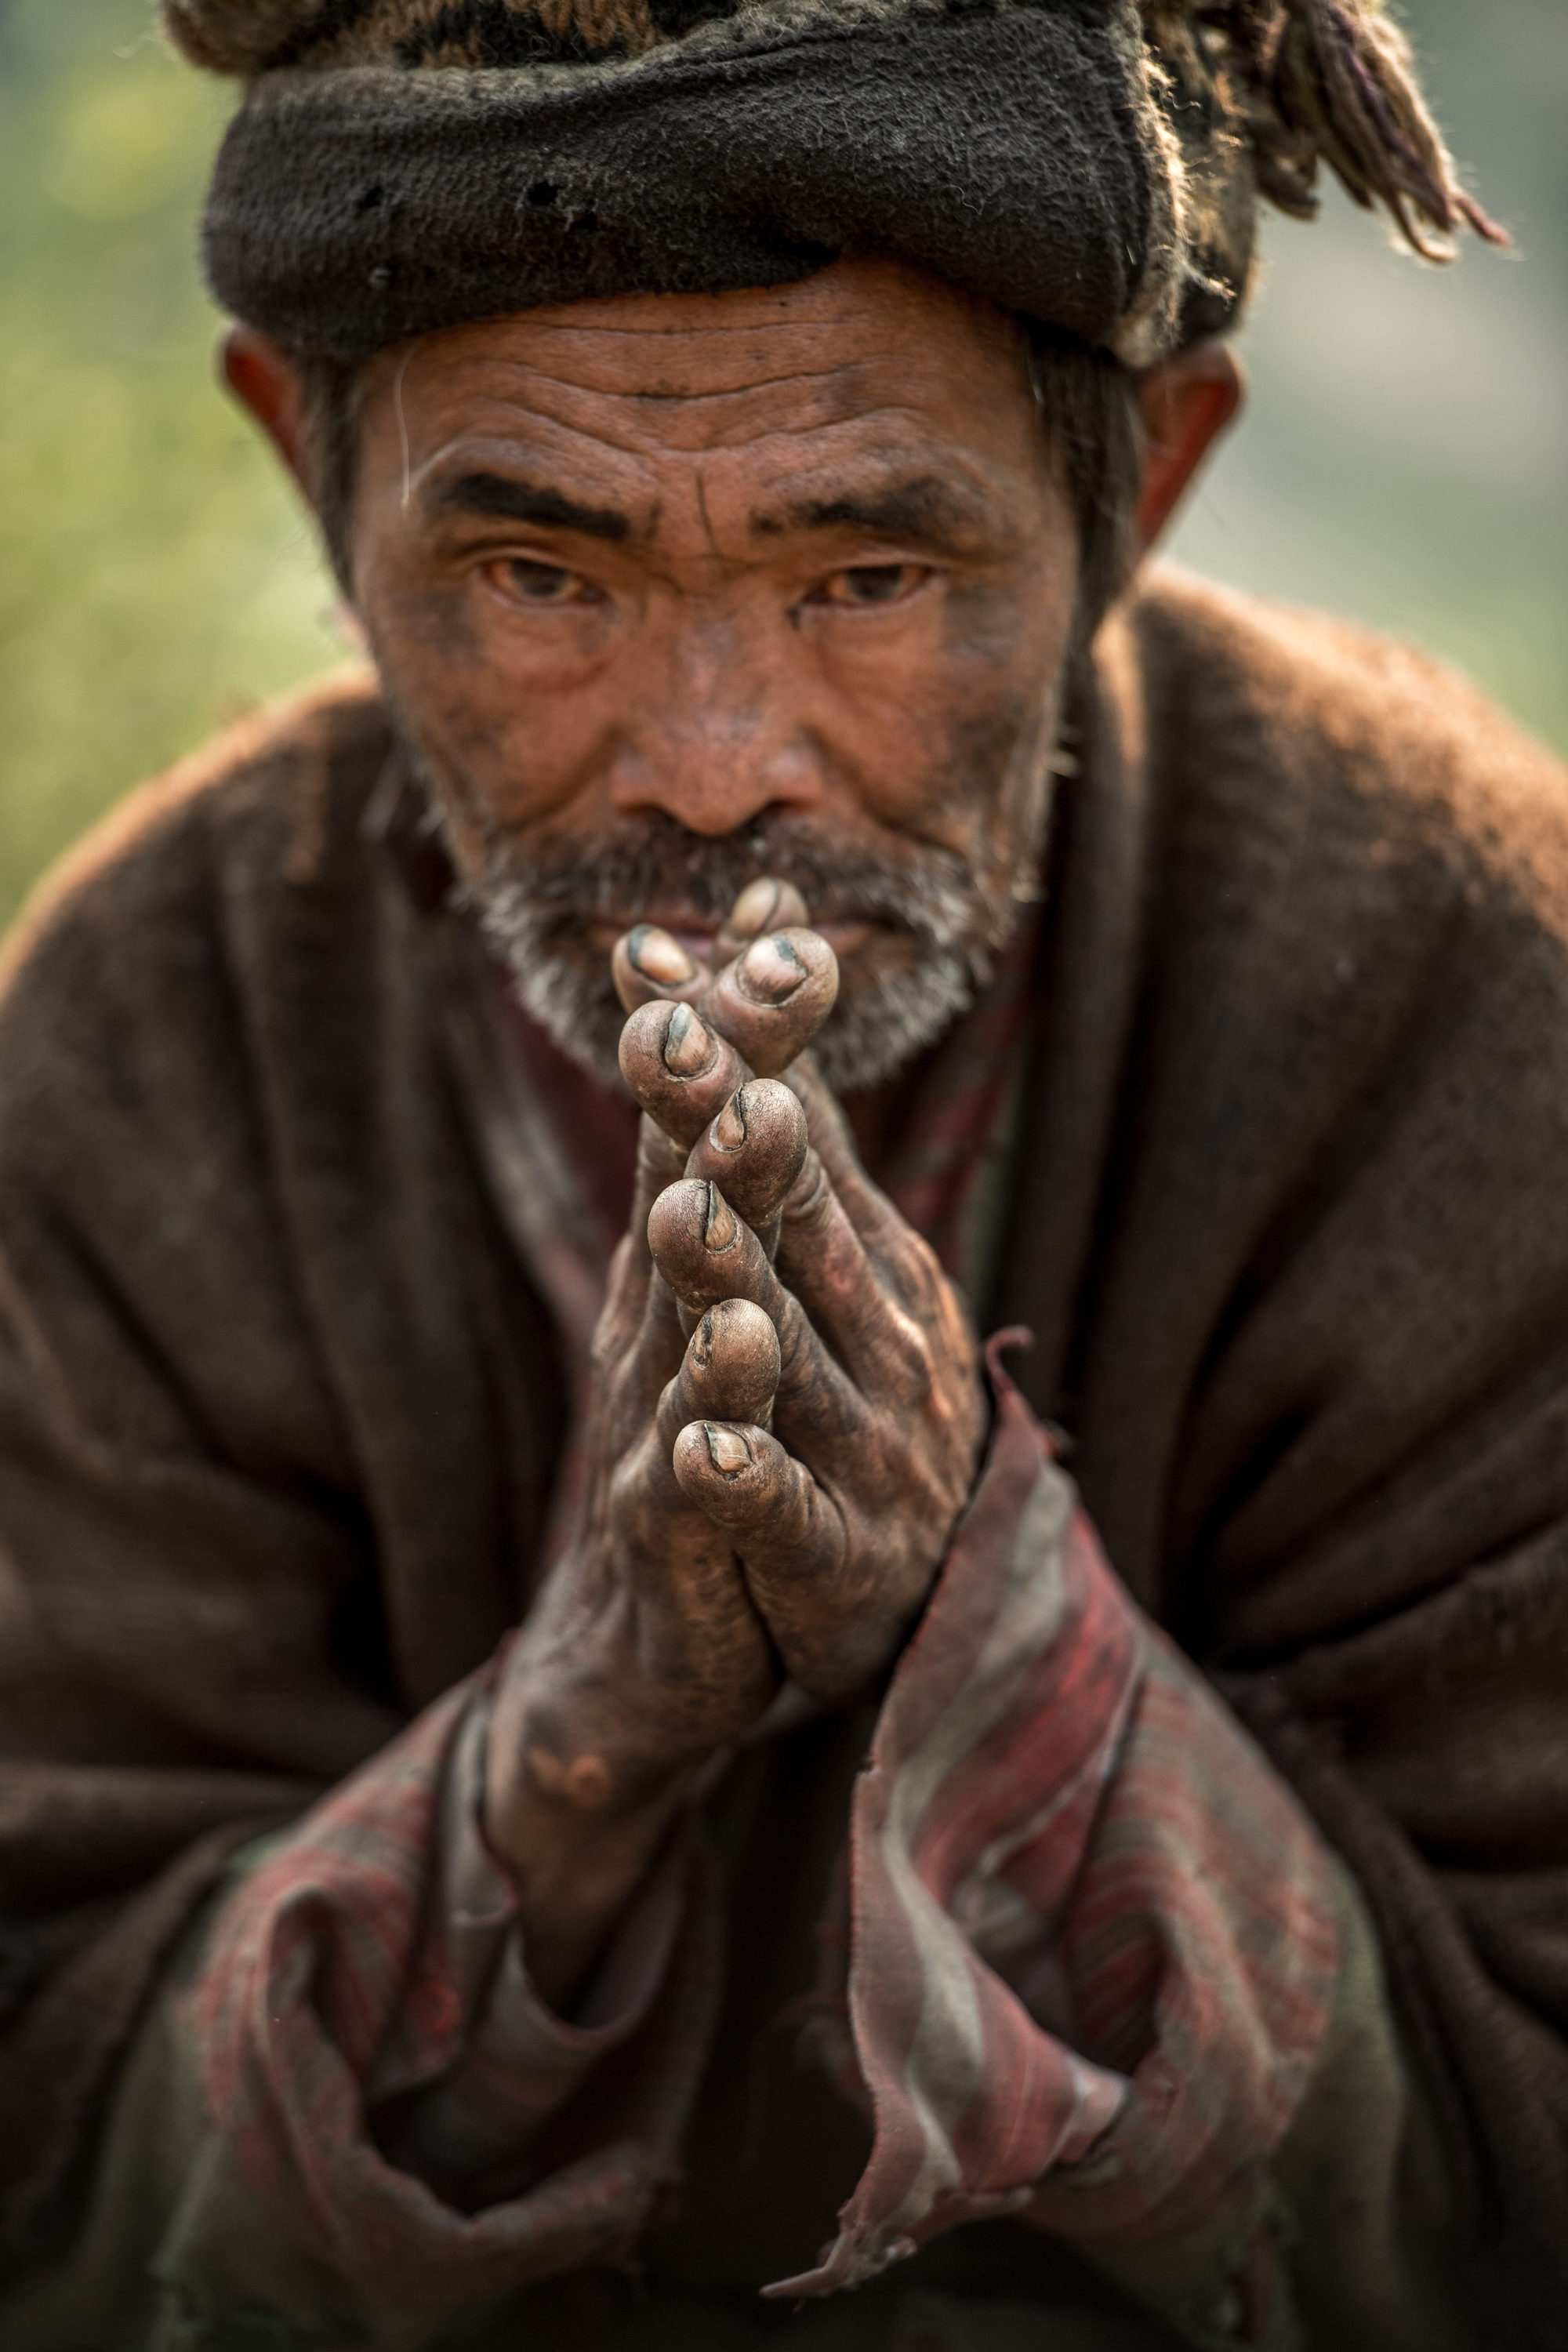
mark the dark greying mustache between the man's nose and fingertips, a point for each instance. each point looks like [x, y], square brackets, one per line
[662, 864]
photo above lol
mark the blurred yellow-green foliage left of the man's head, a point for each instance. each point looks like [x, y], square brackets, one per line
[156, 575]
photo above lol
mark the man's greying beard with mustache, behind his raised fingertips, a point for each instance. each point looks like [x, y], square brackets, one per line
[537, 909]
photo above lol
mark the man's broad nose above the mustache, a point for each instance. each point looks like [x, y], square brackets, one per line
[713, 726]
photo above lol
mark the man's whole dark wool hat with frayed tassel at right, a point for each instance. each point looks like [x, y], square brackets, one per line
[401, 166]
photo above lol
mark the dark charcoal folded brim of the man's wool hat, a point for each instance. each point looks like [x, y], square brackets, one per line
[1014, 152]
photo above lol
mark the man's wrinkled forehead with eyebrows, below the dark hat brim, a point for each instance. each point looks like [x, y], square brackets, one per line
[866, 399]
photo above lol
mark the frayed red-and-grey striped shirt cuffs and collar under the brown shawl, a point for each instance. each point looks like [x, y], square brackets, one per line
[1090, 1956]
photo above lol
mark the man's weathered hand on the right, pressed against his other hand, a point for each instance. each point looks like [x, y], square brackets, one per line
[840, 1499]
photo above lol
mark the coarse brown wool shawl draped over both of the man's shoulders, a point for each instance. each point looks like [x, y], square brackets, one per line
[279, 1408]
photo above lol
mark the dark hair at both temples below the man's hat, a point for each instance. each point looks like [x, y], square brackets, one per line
[1085, 399]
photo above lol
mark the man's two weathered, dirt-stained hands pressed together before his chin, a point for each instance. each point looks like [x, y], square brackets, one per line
[784, 1424]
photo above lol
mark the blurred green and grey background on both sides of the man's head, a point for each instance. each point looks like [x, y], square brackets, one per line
[1405, 455]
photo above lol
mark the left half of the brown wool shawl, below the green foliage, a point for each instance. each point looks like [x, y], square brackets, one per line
[276, 1412]
